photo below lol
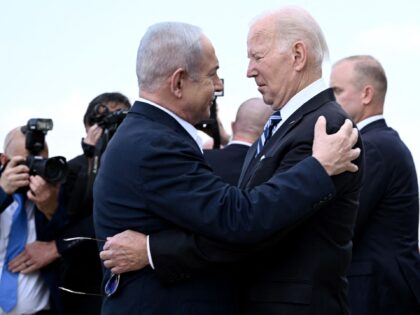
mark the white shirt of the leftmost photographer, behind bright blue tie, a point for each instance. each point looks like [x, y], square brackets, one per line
[33, 295]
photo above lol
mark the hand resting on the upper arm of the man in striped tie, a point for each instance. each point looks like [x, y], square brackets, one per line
[335, 152]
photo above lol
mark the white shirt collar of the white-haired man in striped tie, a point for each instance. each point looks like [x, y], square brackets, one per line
[301, 98]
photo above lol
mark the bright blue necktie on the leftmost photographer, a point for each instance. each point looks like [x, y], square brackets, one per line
[17, 240]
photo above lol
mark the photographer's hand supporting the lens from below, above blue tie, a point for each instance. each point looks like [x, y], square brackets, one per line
[44, 195]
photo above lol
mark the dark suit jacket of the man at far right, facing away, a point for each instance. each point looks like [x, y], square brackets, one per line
[385, 271]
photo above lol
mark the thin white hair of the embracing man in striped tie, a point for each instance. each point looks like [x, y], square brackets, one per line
[293, 24]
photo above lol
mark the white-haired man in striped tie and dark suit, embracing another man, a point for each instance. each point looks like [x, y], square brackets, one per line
[302, 269]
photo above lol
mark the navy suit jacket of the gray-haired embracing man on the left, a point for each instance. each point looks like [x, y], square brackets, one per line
[153, 177]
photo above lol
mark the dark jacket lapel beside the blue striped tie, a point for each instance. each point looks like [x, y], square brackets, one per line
[251, 161]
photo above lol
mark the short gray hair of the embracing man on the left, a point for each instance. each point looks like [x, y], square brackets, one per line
[164, 48]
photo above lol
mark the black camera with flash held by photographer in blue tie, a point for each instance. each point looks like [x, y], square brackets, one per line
[54, 170]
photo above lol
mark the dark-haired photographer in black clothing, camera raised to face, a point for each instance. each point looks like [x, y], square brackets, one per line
[81, 268]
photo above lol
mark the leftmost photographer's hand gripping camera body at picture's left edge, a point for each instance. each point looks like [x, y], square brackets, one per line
[14, 176]
